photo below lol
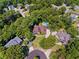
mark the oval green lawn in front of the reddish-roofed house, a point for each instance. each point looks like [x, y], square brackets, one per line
[48, 43]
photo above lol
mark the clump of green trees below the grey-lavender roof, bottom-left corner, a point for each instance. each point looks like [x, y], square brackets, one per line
[13, 52]
